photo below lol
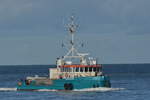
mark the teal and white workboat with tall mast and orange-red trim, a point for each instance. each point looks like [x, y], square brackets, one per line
[75, 70]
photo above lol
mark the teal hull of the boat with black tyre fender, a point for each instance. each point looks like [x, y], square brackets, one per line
[75, 83]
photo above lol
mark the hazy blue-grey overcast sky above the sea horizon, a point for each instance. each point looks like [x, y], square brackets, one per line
[115, 31]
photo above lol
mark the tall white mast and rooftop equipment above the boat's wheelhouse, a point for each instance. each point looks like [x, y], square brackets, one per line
[73, 52]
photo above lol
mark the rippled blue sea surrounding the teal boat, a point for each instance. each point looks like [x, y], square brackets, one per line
[129, 82]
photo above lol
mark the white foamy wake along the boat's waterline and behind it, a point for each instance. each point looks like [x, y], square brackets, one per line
[101, 89]
